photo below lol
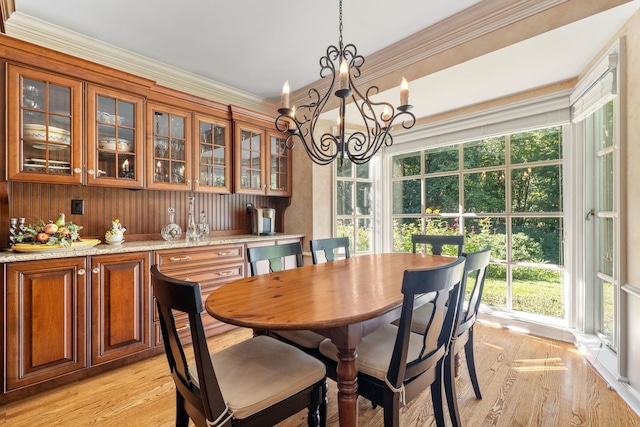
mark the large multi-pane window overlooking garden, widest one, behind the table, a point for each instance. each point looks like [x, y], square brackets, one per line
[504, 192]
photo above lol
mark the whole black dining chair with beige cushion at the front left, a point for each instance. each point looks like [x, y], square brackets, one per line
[257, 382]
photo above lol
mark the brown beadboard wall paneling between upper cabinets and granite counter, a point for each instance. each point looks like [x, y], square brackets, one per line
[143, 212]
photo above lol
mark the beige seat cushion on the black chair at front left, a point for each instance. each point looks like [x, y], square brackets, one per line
[259, 372]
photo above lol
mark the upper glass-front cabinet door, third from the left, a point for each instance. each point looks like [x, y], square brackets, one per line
[168, 148]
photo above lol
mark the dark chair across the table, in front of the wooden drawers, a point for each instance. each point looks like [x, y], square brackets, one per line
[274, 256]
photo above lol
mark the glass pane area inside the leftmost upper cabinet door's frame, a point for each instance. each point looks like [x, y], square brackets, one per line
[46, 128]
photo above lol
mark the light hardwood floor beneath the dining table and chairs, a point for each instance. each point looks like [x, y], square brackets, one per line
[525, 381]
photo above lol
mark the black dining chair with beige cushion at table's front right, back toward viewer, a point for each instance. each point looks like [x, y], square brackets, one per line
[395, 364]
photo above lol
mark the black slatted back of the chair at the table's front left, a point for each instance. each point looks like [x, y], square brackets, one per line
[182, 296]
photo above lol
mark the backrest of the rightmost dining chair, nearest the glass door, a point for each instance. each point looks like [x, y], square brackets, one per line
[475, 273]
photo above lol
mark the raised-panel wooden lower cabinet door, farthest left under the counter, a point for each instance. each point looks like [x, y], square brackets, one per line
[45, 320]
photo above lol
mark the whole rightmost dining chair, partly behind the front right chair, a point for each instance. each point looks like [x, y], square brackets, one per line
[474, 276]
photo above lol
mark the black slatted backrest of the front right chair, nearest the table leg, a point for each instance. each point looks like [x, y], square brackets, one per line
[446, 283]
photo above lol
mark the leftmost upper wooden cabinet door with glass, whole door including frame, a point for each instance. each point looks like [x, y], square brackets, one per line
[44, 126]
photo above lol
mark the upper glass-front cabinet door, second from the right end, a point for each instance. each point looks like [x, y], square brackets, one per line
[249, 159]
